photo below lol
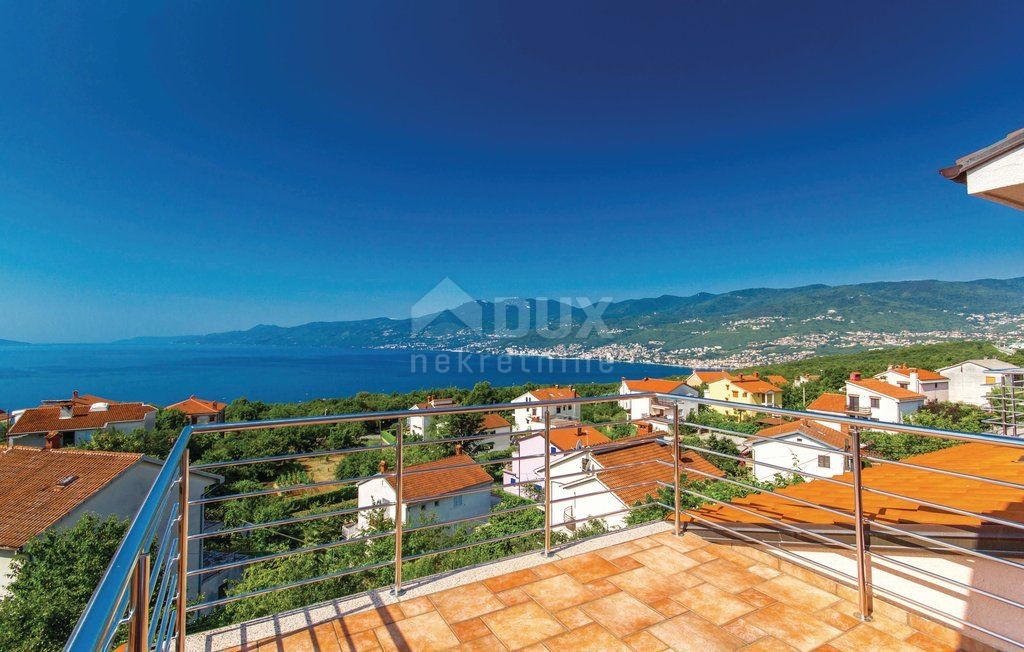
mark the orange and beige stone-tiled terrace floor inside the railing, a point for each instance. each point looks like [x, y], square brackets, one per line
[654, 593]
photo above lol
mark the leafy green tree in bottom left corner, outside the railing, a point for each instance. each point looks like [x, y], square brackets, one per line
[54, 578]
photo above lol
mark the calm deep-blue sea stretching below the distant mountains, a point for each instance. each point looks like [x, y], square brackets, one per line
[166, 374]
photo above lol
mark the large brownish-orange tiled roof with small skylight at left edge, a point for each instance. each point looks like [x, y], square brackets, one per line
[31, 487]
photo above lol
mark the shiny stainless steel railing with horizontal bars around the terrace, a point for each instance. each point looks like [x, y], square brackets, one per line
[144, 597]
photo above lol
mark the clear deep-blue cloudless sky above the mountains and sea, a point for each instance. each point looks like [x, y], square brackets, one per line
[195, 167]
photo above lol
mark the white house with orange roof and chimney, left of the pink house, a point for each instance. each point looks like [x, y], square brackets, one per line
[433, 493]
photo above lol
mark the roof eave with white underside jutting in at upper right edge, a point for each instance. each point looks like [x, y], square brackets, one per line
[995, 173]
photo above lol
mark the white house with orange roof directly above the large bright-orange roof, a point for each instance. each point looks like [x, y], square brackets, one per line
[827, 461]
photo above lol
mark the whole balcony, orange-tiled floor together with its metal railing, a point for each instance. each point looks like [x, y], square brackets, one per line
[887, 556]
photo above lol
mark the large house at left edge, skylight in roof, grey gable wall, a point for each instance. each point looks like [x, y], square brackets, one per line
[56, 488]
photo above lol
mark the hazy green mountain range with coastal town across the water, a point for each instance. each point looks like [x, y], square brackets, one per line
[704, 329]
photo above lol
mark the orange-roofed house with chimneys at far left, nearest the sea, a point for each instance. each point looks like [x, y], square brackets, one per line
[76, 420]
